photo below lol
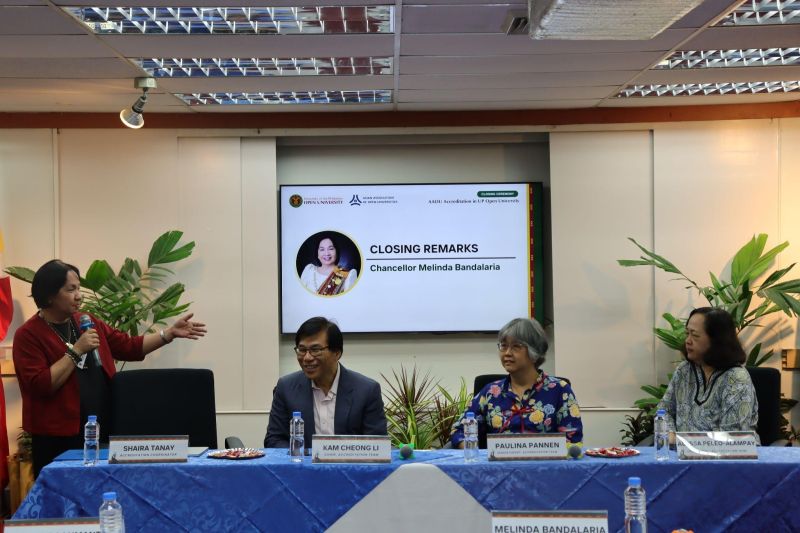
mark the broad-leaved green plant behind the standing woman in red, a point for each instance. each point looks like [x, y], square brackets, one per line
[133, 299]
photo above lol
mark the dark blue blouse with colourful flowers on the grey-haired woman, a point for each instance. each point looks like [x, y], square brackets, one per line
[549, 406]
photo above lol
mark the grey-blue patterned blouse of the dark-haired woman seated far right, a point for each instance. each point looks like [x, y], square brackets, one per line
[727, 402]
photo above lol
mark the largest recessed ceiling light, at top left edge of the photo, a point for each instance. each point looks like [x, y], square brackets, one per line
[236, 20]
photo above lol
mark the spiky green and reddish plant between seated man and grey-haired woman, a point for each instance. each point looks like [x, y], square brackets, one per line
[419, 411]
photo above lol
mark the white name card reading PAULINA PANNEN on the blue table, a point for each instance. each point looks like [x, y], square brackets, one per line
[526, 446]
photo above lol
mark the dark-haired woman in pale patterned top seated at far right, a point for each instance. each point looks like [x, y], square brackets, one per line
[711, 391]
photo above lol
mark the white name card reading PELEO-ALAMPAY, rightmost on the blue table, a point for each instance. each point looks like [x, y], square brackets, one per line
[716, 445]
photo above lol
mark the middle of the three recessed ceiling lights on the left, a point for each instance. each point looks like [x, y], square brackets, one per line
[166, 67]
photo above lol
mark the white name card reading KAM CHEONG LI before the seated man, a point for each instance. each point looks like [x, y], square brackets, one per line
[351, 449]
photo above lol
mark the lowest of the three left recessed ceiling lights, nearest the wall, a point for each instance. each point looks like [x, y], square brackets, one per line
[288, 97]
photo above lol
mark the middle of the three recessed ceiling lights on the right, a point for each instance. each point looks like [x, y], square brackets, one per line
[751, 57]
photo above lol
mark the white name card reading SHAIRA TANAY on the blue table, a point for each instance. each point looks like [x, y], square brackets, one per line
[148, 449]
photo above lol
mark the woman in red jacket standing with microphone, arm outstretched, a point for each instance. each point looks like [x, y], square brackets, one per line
[65, 362]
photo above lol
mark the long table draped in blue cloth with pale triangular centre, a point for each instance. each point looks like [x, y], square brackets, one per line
[436, 491]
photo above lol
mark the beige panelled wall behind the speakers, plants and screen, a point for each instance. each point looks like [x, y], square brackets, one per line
[694, 191]
